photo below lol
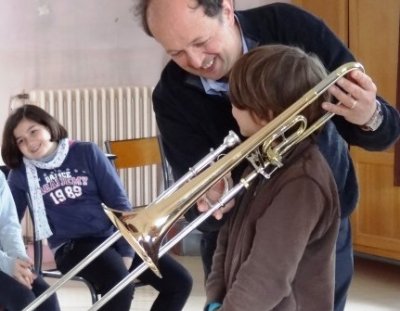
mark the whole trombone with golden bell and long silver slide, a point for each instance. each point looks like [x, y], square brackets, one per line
[146, 228]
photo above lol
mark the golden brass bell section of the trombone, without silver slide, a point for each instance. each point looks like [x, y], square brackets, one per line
[145, 228]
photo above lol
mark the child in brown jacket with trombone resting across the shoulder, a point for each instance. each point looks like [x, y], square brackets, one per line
[277, 249]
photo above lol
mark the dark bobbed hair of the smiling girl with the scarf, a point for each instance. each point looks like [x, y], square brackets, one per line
[10, 152]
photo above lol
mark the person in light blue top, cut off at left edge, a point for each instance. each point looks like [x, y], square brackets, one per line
[18, 285]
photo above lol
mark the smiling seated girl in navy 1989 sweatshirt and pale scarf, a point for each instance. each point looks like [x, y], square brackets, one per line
[68, 181]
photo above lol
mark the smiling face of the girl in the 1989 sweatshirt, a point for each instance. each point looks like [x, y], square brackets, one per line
[33, 139]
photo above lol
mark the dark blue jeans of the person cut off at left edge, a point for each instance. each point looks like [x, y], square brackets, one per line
[14, 296]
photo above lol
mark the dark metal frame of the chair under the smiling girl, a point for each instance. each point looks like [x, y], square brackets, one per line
[52, 273]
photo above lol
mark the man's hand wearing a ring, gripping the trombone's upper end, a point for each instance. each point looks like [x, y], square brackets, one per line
[357, 94]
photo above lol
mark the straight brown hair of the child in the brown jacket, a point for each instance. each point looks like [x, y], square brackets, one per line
[272, 77]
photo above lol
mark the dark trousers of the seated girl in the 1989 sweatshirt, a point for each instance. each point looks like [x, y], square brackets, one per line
[108, 269]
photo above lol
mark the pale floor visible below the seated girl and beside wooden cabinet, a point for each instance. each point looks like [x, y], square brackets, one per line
[375, 287]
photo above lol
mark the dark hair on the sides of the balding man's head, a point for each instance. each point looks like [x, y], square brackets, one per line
[211, 8]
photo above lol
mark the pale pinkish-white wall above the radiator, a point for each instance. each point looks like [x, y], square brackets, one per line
[70, 43]
